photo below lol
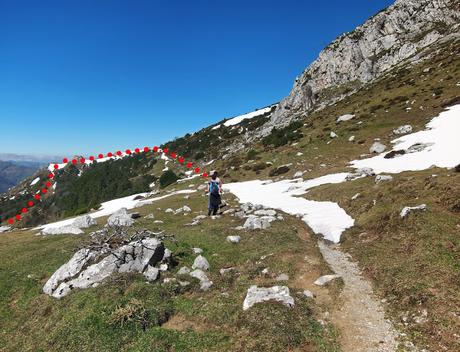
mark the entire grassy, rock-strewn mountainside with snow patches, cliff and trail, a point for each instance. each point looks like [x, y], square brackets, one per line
[340, 229]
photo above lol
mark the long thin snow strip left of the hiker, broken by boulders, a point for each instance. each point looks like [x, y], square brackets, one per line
[110, 207]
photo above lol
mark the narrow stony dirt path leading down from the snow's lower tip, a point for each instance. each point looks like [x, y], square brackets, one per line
[361, 317]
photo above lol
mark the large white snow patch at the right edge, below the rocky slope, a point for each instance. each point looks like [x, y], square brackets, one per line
[438, 145]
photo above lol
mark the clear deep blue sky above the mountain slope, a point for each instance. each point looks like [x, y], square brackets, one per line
[89, 76]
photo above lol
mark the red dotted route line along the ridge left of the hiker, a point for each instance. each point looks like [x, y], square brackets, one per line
[49, 183]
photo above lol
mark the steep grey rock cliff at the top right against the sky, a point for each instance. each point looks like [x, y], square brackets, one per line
[358, 57]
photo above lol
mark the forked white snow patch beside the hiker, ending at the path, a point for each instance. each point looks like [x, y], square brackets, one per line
[325, 218]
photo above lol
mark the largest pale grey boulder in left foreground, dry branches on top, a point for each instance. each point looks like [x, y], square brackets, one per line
[137, 256]
